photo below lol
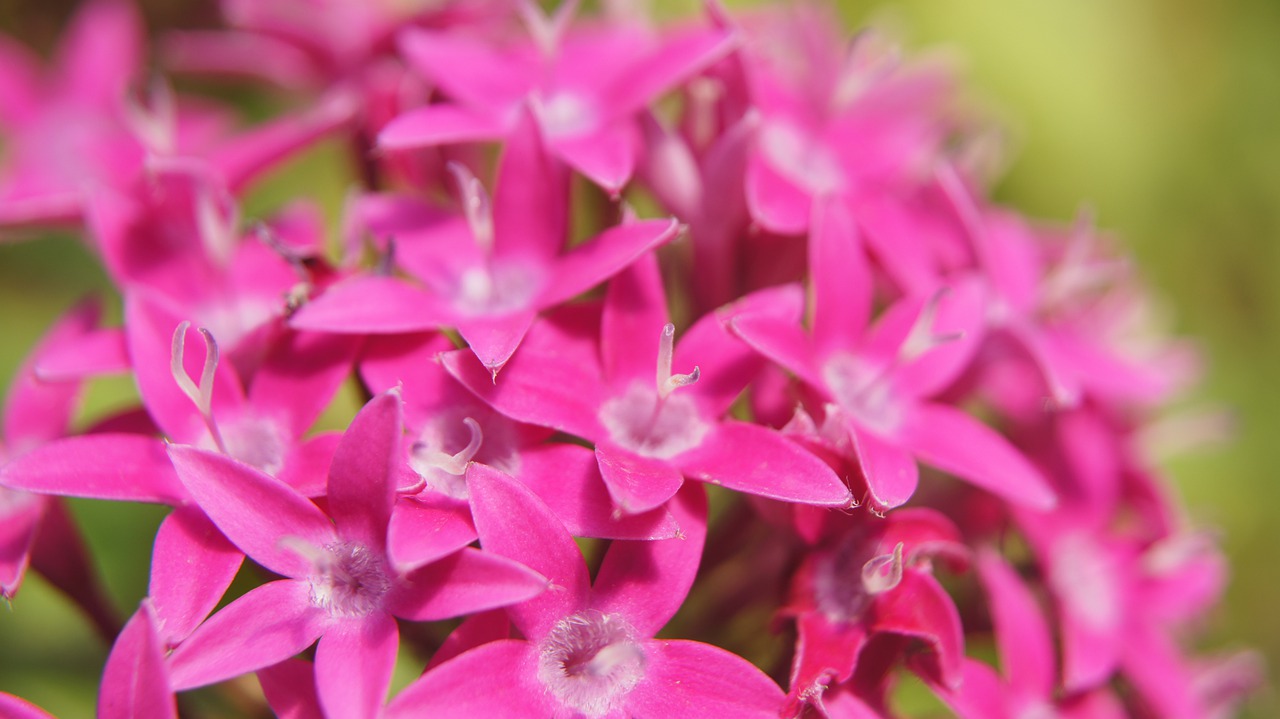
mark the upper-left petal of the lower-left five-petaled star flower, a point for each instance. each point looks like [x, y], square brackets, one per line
[254, 511]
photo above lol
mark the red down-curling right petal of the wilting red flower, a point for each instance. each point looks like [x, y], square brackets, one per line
[922, 610]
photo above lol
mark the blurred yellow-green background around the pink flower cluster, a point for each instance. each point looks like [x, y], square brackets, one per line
[1162, 116]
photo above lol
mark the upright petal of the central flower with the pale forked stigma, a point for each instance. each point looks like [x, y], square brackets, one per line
[636, 313]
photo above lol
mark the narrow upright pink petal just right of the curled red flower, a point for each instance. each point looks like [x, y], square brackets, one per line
[1022, 634]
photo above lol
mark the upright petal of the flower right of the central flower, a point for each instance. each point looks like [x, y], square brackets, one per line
[840, 276]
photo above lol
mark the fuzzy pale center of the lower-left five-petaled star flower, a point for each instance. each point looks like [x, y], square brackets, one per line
[350, 580]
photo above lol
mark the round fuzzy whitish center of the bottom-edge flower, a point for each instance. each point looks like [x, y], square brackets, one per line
[591, 662]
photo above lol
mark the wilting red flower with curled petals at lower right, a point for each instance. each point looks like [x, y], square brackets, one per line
[872, 579]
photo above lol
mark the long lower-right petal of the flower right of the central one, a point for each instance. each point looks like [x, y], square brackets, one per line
[954, 442]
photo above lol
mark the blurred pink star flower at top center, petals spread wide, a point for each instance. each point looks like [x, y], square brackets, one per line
[586, 86]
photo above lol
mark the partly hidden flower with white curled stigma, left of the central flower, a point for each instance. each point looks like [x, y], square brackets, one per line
[449, 428]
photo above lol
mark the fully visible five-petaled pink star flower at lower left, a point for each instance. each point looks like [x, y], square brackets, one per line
[341, 585]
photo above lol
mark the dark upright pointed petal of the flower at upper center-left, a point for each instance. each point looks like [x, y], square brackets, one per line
[531, 217]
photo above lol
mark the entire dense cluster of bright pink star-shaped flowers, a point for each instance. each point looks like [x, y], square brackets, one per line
[712, 322]
